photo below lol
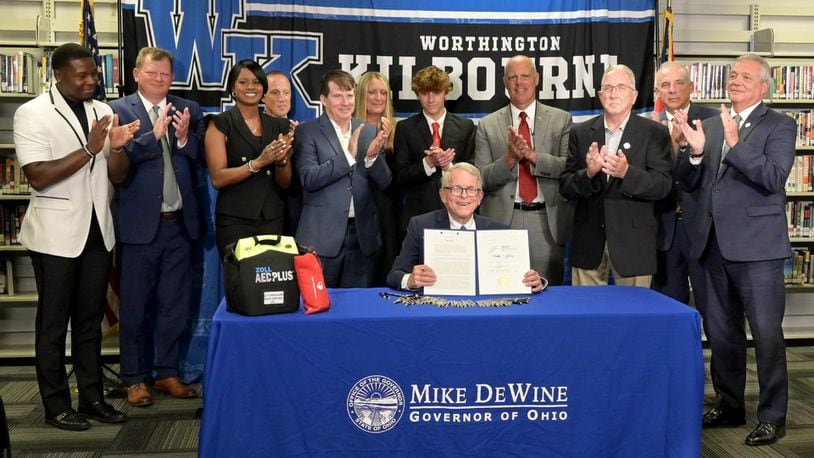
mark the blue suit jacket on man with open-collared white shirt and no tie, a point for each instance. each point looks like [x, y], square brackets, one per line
[329, 183]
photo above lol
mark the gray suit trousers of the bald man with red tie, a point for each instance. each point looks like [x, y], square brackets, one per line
[547, 258]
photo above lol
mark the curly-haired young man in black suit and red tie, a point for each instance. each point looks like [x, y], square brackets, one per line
[426, 144]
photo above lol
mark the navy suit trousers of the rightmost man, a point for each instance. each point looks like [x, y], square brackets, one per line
[756, 289]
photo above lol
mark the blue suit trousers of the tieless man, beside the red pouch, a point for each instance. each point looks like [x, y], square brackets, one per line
[351, 268]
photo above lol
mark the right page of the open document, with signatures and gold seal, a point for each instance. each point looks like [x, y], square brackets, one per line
[503, 259]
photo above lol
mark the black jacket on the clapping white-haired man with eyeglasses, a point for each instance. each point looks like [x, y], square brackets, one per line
[619, 210]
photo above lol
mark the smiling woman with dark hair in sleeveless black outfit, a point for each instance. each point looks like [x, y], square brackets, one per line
[248, 155]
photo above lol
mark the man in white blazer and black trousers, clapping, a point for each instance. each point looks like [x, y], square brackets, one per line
[68, 230]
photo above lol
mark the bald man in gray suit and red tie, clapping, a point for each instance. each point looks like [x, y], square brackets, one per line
[521, 176]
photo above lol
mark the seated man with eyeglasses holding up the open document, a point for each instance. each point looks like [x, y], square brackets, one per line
[461, 193]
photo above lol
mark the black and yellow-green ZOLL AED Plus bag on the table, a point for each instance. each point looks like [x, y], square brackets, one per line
[259, 275]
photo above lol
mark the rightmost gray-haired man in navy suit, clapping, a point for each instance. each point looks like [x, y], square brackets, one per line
[738, 163]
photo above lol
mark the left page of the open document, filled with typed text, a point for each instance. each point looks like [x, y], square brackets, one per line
[451, 255]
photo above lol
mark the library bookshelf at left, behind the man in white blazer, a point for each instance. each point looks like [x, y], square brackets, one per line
[33, 29]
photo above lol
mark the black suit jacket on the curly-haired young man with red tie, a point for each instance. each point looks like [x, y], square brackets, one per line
[412, 137]
